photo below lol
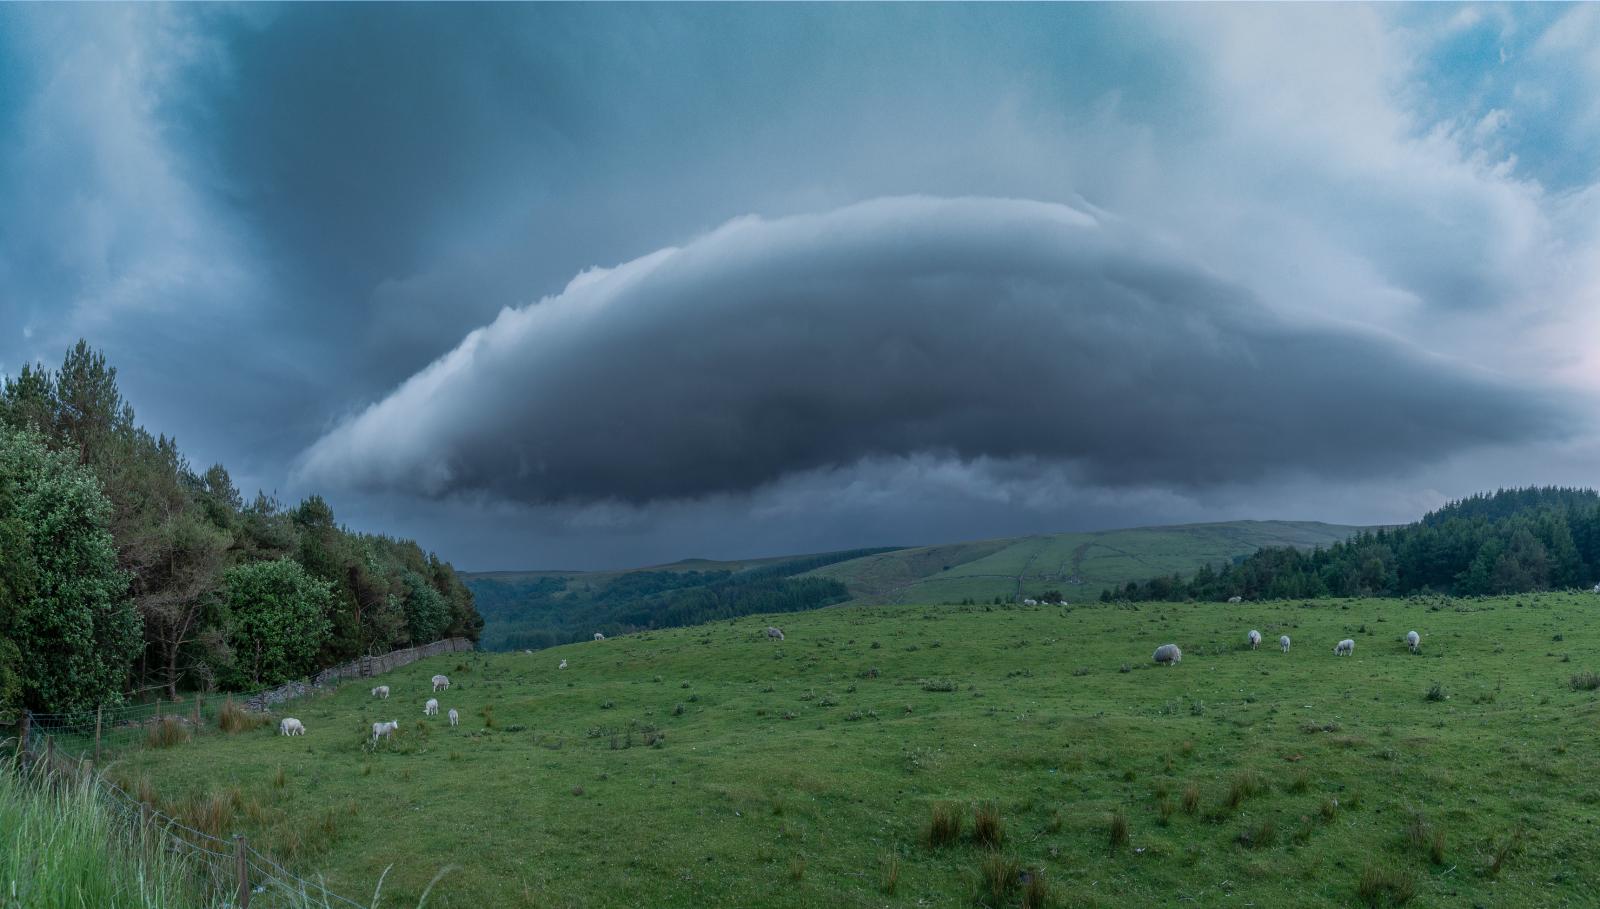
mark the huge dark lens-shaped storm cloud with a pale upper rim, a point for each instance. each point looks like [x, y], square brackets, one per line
[966, 329]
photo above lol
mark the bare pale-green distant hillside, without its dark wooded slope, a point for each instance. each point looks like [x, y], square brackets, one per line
[1079, 566]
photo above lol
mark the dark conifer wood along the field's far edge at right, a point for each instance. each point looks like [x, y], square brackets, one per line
[1495, 543]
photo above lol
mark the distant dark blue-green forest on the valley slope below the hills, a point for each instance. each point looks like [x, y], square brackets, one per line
[532, 614]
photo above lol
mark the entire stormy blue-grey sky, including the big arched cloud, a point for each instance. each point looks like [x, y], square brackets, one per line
[612, 286]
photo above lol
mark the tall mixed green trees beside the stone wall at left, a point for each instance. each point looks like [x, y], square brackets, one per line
[124, 571]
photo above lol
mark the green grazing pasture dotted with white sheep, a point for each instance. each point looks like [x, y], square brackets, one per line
[806, 772]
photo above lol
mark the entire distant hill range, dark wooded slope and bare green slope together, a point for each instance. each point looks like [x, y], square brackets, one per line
[532, 611]
